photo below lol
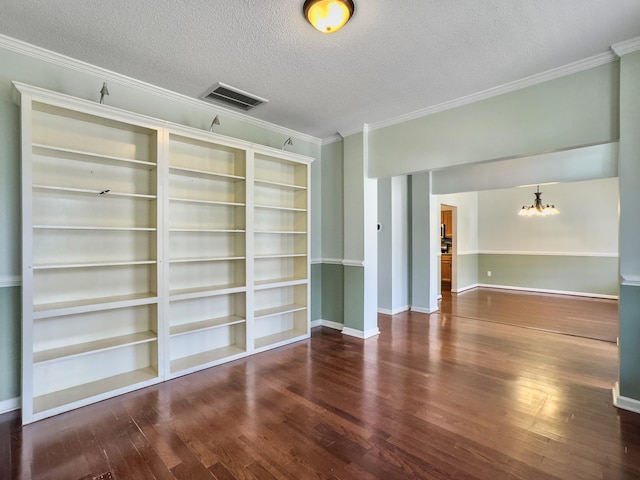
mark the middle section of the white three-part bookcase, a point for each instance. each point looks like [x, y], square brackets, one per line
[207, 252]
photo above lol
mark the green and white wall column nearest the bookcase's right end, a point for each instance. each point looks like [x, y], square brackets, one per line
[360, 241]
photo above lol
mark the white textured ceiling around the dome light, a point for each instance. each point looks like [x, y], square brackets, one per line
[392, 58]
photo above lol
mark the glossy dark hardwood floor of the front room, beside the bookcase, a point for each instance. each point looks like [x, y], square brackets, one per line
[432, 397]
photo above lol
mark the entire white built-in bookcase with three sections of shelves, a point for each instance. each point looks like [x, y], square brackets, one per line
[150, 250]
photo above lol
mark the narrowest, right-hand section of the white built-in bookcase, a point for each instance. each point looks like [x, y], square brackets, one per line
[281, 246]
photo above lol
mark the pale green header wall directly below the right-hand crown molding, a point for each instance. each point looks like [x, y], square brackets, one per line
[574, 110]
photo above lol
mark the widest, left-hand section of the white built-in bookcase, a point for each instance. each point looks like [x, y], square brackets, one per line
[91, 272]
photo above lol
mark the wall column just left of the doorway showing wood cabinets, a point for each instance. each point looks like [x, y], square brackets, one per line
[425, 228]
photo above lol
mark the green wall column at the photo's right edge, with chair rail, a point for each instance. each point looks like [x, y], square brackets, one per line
[627, 393]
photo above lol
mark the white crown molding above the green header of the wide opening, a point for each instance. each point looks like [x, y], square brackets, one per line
[532, 80]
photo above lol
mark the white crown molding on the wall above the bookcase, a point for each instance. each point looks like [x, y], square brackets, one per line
[64, 61]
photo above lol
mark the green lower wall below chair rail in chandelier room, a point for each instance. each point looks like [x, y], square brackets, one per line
[580, 274]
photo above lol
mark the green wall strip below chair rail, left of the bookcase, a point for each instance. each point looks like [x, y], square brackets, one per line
[10, 369]
